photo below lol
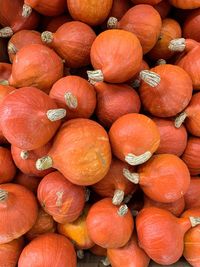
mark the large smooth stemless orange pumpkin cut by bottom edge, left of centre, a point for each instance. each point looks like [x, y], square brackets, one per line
[43, 251]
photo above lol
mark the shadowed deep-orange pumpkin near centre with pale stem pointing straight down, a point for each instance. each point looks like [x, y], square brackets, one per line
[114, 184]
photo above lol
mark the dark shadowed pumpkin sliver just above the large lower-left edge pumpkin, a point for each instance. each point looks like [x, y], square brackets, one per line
[30, 182]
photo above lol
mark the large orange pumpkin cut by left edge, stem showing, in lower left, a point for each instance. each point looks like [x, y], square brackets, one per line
[16, 200]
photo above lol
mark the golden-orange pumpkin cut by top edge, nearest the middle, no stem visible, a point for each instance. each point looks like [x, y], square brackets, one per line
[92, 12]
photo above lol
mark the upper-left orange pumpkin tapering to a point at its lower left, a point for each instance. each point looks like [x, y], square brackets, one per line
[36, 65]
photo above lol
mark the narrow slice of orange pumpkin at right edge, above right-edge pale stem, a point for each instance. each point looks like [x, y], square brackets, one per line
[192, 195]
